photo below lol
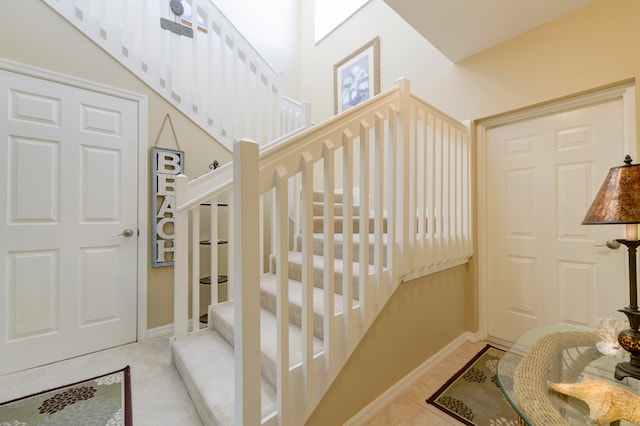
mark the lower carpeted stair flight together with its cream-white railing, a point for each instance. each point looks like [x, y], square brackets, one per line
[393, 173]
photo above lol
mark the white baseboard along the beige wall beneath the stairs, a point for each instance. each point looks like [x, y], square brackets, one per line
[370, 411]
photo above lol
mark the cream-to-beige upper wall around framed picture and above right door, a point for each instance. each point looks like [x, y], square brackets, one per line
[593, 47]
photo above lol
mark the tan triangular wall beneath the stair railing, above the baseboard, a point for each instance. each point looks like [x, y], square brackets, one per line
[421, 317]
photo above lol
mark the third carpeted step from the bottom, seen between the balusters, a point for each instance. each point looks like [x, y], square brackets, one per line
[268, 298]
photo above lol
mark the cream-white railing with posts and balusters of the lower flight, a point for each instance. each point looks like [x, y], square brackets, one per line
[411, 165]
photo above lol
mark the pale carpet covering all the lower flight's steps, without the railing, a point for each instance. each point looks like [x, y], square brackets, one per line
[205, 359]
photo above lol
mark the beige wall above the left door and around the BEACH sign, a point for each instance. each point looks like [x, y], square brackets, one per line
[34, 35]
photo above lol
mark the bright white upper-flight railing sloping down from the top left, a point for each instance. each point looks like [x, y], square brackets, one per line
[215, 78]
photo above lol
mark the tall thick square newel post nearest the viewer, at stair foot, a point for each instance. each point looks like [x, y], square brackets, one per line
[247, 289]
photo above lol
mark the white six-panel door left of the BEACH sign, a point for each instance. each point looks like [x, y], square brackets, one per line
[68, 272]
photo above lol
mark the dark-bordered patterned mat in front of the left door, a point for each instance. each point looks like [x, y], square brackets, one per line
[102, 400]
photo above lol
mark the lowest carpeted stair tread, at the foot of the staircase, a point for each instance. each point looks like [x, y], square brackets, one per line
[206, 364]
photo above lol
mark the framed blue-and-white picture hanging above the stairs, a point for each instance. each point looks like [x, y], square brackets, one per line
[356, 78]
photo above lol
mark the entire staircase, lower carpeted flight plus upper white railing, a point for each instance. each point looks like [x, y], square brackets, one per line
[342, 212]
